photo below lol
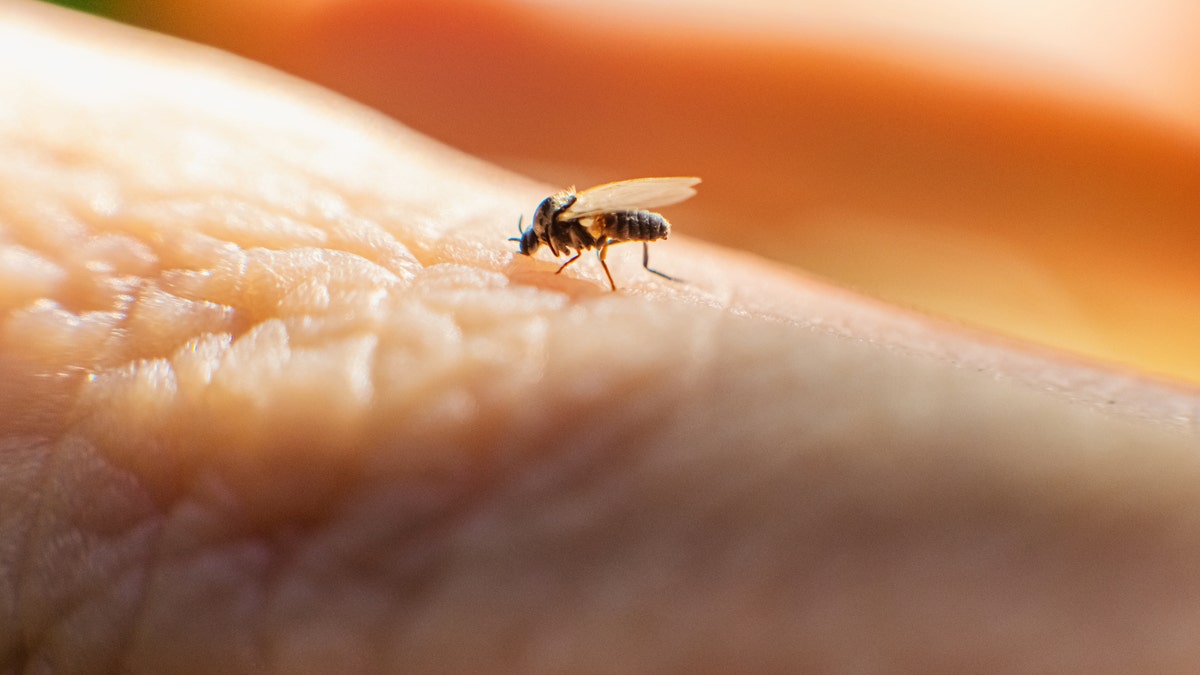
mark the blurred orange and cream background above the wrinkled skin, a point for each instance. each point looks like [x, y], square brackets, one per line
[1030, 169]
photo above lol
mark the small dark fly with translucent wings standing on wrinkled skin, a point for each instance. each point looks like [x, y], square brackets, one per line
[573, 223]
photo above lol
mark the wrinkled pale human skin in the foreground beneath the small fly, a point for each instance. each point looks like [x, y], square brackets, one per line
[279, 397]
